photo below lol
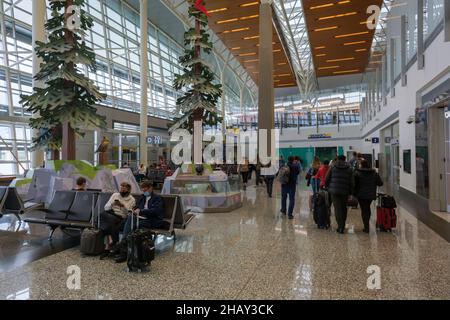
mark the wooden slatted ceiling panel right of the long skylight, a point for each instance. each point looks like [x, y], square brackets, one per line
[339, 37]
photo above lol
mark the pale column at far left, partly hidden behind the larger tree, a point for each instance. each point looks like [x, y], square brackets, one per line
[38, 34]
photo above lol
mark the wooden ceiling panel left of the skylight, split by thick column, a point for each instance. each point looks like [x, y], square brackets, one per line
[236, 23]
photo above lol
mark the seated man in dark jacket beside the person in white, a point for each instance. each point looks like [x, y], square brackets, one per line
[150, 208]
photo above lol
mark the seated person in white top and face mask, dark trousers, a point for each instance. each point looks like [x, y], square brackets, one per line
[116, 212]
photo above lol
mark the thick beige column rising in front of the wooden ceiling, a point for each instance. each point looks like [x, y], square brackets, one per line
[266, 91]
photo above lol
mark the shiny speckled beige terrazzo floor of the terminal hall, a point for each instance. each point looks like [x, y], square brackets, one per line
[254, 253]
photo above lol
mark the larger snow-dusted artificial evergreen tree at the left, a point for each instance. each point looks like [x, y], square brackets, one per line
[66, 105]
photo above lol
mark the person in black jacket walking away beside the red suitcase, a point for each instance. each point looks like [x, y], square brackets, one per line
[366, 182]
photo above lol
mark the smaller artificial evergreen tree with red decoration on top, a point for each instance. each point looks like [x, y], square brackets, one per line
[201, 96]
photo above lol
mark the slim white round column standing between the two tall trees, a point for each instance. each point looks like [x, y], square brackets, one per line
[144, 82]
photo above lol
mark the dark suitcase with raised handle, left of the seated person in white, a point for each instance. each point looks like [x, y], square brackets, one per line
[92, 239]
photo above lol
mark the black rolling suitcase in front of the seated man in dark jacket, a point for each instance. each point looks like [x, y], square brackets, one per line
[140, 248]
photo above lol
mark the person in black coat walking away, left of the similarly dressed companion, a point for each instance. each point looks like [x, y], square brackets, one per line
[339, 182]
